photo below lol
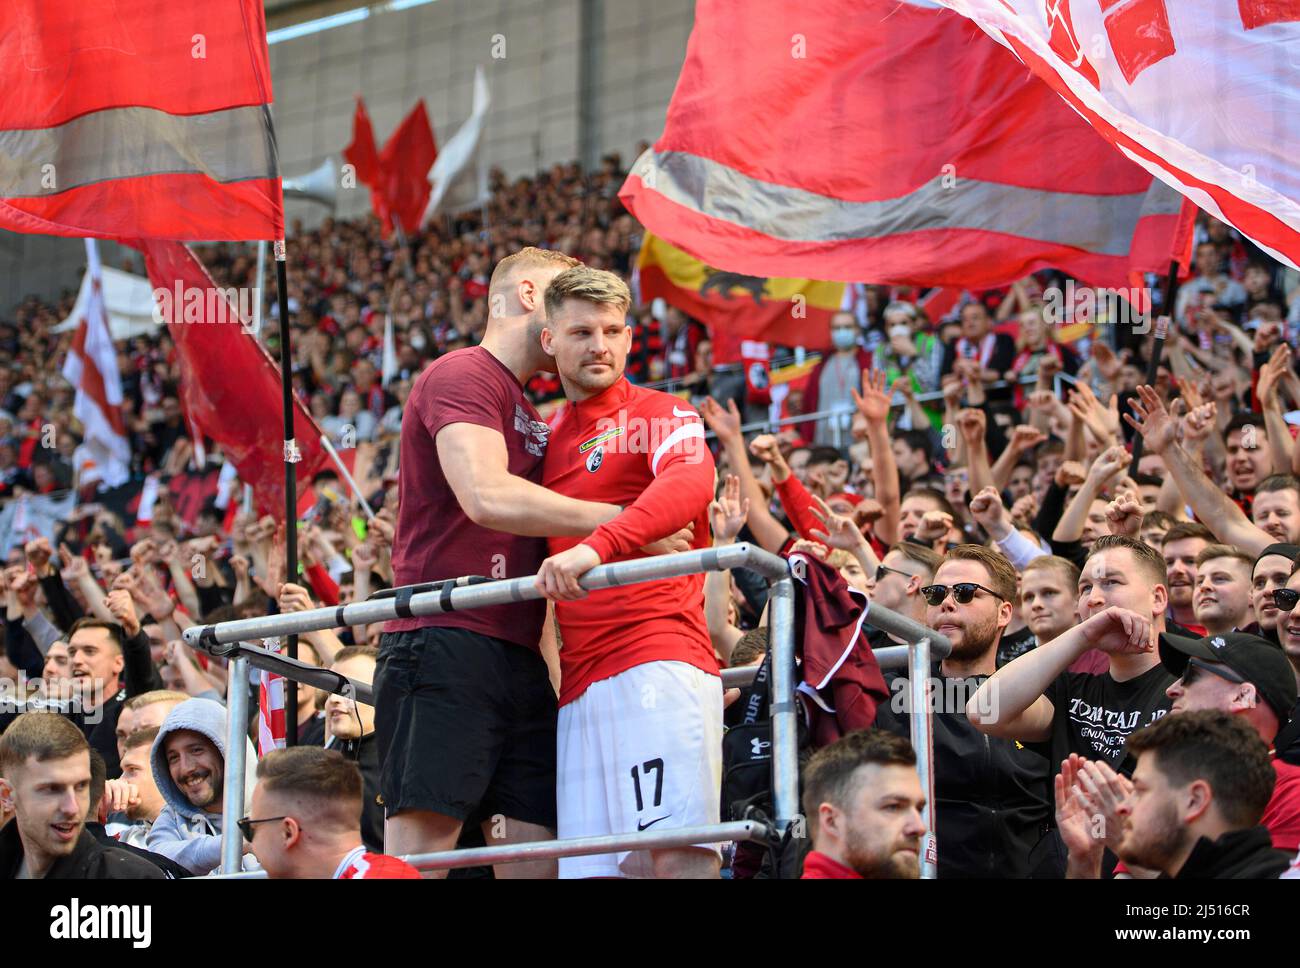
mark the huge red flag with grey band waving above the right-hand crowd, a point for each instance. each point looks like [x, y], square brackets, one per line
[886, 141]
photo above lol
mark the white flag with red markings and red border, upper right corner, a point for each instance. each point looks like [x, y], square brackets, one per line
[1203, 94]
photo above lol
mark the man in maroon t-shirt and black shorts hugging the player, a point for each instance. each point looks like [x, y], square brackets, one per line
[473, 503]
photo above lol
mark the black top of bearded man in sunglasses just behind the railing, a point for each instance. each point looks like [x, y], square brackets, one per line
[993, 797]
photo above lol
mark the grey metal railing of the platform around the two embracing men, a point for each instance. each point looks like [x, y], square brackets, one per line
[232, 640]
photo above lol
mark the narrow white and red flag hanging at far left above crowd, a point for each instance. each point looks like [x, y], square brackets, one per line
[92, 368]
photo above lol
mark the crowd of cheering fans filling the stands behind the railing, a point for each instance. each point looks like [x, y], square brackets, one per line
[1121, 693]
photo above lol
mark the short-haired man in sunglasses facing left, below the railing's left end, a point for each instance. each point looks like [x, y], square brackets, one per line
[305, 819]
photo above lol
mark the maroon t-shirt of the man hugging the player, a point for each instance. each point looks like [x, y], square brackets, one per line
[435, 539]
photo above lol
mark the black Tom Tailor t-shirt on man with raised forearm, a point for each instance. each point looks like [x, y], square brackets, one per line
[1097, 714]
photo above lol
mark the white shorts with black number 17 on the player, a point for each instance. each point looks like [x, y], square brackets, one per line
[639, 752]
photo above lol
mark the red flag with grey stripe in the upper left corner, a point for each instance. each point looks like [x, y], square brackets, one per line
[133, 120]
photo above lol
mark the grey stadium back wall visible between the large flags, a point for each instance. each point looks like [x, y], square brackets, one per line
[557, 96]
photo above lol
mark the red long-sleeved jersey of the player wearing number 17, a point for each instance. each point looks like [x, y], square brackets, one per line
[645, 452]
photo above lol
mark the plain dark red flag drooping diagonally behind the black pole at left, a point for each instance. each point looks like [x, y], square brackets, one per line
[231, 387]
